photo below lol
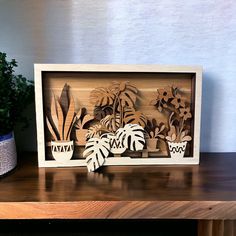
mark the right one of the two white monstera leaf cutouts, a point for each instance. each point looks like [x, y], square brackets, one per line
[132, 136]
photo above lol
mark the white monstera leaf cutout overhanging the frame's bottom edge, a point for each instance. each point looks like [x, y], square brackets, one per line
[96, 150]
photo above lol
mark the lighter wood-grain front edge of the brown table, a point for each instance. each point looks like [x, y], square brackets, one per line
[119, 210]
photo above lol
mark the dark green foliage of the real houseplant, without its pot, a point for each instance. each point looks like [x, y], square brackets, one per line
[15, 93]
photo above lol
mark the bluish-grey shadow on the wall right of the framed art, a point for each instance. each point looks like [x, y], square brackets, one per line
[208, 97]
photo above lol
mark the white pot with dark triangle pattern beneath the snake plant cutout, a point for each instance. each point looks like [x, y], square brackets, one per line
[62, 151]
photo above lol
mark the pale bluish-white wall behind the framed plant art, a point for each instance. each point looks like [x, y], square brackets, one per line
[193, 32]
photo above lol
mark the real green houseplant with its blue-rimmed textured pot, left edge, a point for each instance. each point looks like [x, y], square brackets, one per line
[16, 92]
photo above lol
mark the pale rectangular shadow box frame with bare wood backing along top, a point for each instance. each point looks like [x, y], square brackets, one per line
[144, 75]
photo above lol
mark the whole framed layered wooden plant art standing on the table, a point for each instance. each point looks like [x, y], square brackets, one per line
[110, 121]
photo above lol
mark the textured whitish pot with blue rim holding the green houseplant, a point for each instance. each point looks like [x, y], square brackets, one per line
[8, 156]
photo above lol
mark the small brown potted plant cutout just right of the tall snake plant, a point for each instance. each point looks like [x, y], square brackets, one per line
[80, 131]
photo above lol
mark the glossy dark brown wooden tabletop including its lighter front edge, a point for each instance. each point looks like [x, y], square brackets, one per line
[207, 191]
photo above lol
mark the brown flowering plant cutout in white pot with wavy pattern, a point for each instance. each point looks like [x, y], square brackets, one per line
[169, 100]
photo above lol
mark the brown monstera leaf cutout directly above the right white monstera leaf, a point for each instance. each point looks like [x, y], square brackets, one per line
[135, 117]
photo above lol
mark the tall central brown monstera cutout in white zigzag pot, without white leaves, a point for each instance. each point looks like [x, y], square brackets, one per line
[119, 101]
